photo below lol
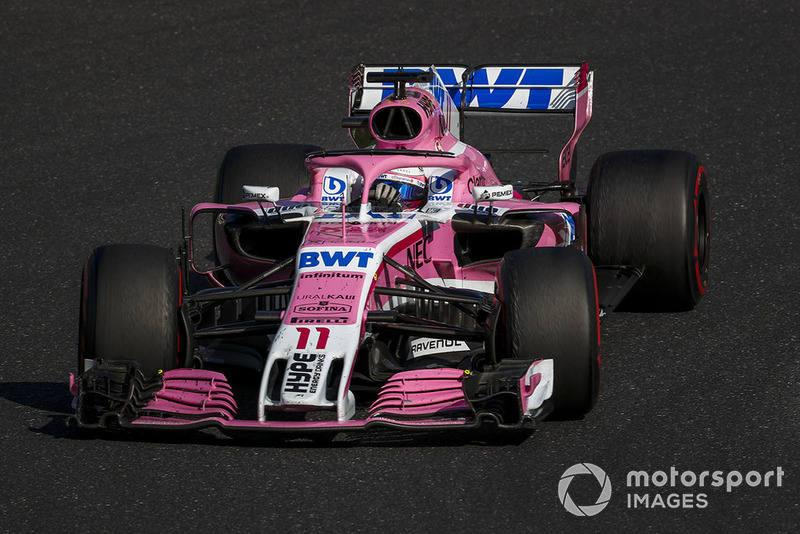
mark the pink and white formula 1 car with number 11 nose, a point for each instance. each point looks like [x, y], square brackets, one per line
[399, 284]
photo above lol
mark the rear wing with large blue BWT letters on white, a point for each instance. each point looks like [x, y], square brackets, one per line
[464, 91]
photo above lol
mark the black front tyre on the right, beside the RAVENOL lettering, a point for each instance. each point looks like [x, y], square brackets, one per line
[550, 312]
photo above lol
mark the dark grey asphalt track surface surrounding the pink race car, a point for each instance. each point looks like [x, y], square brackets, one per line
[115, 115]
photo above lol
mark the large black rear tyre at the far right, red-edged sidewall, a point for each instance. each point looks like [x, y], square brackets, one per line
[650, 208]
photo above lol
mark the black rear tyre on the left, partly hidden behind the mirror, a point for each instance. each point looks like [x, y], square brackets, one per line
[278, 165]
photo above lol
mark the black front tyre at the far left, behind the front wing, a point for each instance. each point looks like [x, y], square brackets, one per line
[130, 308]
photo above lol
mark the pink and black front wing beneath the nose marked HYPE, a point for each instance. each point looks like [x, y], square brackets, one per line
[115, 395]
